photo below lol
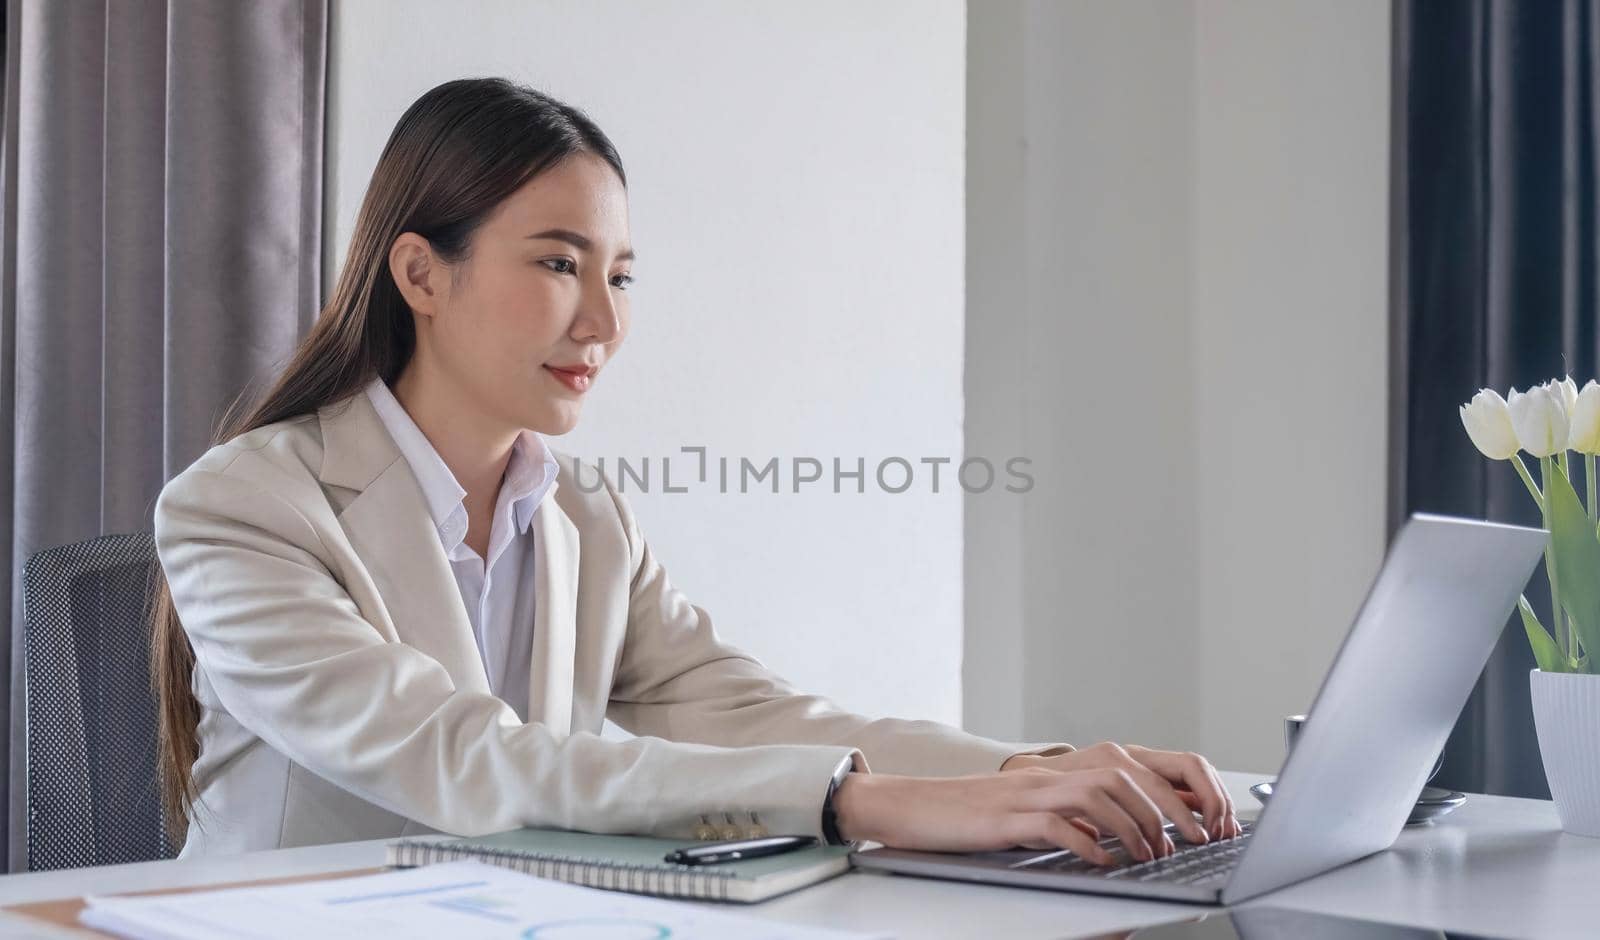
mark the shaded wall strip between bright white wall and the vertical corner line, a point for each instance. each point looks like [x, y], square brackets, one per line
[1079, 309]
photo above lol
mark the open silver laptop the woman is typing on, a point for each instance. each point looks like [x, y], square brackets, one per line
[1377, 725]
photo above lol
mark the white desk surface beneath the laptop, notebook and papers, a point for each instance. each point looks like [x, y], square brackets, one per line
[1497, 866]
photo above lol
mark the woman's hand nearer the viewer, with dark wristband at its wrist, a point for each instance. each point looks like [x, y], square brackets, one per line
[1030, 808]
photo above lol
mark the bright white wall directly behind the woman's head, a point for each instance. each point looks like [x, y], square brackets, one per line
[798, 186]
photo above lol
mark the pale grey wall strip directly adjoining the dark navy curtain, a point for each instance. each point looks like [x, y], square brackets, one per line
[1290, 325]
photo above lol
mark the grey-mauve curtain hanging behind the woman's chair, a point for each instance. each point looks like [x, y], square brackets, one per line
[159, 255]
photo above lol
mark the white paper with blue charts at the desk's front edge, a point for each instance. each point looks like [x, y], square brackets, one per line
[454, 899]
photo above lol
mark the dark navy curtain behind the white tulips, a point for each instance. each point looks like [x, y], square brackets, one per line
[1494, 284]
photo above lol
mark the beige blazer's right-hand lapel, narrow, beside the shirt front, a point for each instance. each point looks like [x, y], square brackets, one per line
[556, 616]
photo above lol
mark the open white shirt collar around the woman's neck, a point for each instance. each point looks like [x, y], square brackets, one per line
[530, 472]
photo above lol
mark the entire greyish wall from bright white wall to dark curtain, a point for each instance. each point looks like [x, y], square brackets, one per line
[1202, 199]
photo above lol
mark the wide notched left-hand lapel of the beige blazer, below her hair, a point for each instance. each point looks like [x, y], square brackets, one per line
[391, 530]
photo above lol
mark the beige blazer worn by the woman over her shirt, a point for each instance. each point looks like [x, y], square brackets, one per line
[343, 696]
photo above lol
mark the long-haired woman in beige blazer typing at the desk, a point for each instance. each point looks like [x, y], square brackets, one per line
[390, 608]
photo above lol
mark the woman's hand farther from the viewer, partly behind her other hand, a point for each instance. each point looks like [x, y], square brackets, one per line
[1169, 778]
